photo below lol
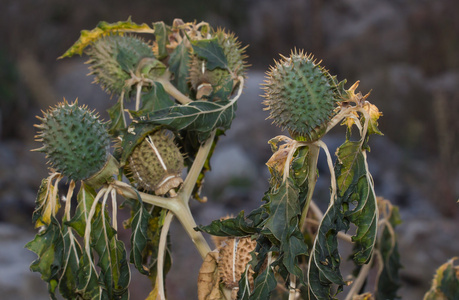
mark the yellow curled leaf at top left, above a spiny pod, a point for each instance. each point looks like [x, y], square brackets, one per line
[103, 29]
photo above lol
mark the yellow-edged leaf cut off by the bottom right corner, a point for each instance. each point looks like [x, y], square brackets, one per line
[445, 283]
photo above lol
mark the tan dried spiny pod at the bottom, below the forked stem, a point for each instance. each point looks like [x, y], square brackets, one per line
[234, 255]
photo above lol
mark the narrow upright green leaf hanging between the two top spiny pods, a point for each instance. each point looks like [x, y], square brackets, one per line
[179, 62]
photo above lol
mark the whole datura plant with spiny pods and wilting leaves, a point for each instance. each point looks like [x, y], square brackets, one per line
[183, 81]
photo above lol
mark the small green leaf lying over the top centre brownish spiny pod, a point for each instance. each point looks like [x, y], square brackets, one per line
[212, 52]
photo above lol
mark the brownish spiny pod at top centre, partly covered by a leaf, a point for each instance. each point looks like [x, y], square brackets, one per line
[204, 81]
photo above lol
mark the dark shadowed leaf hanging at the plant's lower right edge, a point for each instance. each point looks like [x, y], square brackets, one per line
[389, 279]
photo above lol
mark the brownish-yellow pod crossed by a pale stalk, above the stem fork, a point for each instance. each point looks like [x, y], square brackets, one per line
[157, 163]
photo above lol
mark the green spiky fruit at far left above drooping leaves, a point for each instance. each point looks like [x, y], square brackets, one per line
[75, 141]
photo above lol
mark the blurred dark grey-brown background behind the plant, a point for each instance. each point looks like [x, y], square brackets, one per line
[405, 52]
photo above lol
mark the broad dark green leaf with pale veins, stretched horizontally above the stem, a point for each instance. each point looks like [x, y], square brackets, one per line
[201, 117]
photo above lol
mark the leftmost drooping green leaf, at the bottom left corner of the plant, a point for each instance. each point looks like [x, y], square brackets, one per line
[48, 246]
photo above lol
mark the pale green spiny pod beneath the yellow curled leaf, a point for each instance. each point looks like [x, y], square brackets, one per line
[113, 58]
